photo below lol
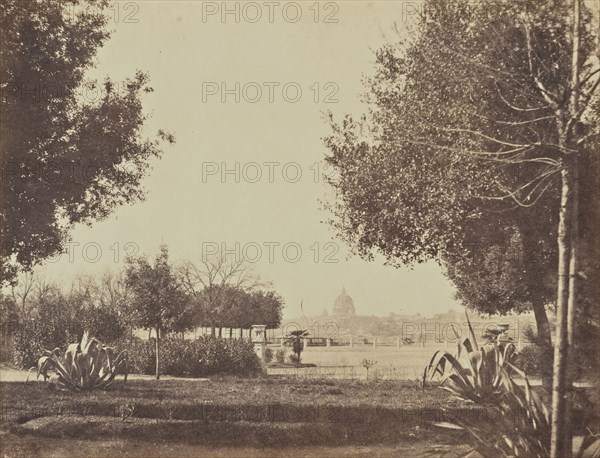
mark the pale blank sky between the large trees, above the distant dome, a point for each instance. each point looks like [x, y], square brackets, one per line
[189, 57]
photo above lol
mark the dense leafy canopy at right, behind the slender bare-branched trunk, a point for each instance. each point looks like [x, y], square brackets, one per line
[458, 160]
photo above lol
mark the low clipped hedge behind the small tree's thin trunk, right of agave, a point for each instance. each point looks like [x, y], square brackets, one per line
[195, 358]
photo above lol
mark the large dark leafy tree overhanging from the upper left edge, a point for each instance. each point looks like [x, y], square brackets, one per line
[72, 151]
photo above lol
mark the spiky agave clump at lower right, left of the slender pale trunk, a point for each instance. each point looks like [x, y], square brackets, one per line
[521, 425]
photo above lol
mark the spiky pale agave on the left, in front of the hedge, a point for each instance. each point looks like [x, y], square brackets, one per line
[85, 365]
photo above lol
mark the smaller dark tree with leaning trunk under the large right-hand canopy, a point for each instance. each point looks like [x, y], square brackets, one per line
[506, 268]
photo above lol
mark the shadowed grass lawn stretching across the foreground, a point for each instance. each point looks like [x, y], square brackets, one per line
[187, 418]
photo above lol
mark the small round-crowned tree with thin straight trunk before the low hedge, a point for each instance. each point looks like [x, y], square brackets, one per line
[157, 297]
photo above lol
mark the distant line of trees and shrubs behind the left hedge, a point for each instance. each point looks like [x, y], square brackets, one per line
[147, 294]
